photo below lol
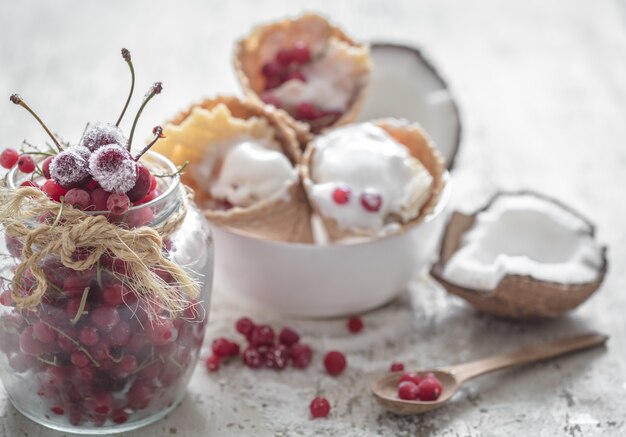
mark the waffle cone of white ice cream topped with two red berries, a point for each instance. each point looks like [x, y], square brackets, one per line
[372, 179]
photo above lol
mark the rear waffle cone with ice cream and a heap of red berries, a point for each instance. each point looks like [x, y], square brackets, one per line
[307, 68]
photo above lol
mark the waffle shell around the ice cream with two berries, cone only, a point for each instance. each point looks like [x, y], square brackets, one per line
[420, 146]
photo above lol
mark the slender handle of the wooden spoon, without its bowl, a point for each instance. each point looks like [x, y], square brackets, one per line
[470, 370]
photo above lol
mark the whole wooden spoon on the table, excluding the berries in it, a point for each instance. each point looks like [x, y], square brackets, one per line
[385, 389]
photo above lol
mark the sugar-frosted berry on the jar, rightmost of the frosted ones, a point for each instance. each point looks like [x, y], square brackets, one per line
[113, 168]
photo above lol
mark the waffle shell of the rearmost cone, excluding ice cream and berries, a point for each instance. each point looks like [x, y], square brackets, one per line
[260, 46]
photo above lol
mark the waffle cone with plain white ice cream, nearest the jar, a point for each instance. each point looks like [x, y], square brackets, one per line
[243, 167]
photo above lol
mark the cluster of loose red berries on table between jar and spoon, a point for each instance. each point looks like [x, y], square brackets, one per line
[264, 348]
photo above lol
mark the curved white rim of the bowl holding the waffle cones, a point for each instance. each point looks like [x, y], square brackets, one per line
[440, 206]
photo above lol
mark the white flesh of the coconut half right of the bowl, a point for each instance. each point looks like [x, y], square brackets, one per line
[522, 234]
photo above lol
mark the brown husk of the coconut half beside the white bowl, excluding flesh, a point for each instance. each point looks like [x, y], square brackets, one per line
[516, 296]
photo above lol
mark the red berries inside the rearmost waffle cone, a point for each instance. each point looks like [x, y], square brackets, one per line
[287, 65]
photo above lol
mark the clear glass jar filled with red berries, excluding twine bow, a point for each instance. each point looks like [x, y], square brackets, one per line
[89, 358]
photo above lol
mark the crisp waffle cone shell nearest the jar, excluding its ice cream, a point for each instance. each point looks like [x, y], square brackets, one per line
[284, 217]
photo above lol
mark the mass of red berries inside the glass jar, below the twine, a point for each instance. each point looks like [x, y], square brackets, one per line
[93, 351]
